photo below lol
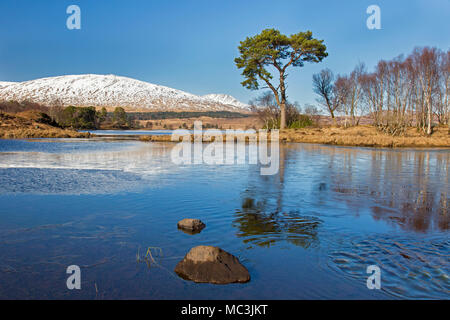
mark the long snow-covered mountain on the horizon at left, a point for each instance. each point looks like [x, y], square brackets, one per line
[113, 91]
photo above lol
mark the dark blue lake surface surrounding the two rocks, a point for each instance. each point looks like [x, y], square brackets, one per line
[308, 232]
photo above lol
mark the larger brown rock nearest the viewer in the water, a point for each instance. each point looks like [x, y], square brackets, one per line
[212, 265]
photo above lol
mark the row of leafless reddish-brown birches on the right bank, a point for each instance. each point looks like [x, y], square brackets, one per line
[399, 93]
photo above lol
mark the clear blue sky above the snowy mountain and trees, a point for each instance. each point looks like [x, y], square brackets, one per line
[191, 45]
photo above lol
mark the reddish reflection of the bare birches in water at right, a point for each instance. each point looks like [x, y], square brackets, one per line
[410, 188]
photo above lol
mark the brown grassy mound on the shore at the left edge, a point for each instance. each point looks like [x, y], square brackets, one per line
[27, 125]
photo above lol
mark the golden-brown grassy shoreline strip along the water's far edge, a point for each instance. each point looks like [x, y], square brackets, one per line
[30, 125]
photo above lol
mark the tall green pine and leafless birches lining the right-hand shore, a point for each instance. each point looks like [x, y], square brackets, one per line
[402, 92]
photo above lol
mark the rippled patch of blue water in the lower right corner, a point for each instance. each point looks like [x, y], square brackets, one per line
[409, 268]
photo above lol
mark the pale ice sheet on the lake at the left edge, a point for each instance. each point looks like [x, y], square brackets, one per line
[92, 168]
